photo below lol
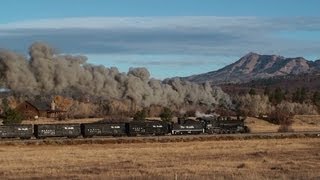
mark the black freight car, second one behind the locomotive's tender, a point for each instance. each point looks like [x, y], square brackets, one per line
[103, 129]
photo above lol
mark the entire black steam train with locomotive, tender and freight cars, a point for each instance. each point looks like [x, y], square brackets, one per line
[211, 125]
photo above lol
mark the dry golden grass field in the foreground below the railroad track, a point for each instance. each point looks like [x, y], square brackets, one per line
[238, 159]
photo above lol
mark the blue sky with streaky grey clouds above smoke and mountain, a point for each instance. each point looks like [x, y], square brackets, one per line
[169, 37]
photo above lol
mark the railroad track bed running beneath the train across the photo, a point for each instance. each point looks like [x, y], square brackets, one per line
[161, 139]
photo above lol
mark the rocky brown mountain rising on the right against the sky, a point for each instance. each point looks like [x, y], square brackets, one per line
[255, 66]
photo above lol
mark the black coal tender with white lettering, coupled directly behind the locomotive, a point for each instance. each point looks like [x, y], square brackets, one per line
[188, 126]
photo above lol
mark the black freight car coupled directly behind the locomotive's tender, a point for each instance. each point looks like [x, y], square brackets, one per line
[152, 127]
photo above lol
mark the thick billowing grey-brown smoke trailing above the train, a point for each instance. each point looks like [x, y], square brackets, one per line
[47, 72]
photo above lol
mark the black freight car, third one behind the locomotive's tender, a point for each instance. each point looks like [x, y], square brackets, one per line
[57, 130]
